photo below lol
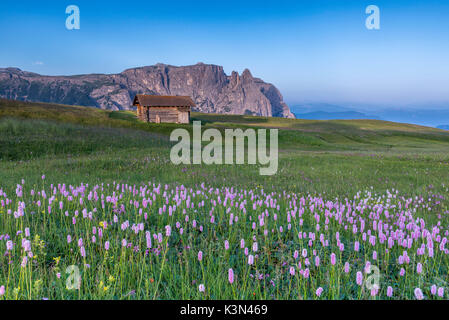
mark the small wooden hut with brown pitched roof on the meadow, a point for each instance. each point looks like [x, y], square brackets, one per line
[159, 109]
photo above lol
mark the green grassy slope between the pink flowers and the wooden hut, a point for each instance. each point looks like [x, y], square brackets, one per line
[73, 144]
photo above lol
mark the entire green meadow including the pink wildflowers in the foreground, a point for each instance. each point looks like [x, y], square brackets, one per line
[92, 208]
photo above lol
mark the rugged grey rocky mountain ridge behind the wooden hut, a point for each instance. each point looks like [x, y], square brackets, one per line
[212, 90]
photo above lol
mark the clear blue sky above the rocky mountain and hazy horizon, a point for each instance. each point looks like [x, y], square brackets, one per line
[313, 51]
